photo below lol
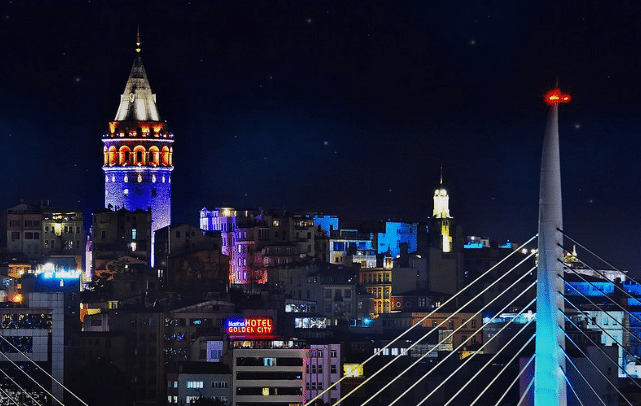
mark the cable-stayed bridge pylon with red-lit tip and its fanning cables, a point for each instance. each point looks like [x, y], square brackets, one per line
[558, 332]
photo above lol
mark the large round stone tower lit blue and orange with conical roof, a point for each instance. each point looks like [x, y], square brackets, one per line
[138, 152]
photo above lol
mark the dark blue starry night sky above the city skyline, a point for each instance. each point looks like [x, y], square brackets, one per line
[342, 107]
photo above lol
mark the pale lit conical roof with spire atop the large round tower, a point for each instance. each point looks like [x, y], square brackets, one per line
[137, 103]
